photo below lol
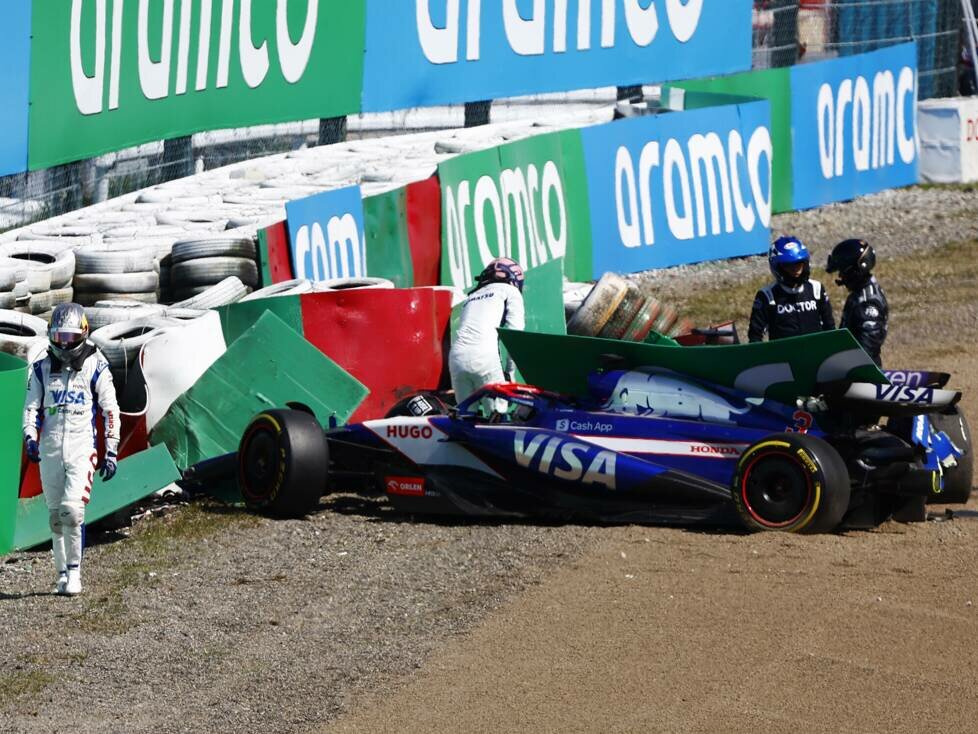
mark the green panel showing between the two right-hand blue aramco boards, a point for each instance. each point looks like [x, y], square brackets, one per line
[773, 85]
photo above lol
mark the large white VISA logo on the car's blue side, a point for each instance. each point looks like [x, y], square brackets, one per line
[565, 459]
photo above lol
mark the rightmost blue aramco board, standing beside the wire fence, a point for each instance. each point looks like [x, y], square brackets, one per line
[854, 125]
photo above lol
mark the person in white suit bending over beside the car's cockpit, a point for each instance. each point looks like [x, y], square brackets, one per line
[497, 300]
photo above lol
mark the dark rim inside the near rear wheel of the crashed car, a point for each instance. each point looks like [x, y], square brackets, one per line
[776, 490]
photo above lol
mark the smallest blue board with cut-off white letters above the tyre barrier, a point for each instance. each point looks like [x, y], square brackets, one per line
[326, 235]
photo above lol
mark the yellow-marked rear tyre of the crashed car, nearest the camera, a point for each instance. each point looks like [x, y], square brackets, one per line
[791, 482]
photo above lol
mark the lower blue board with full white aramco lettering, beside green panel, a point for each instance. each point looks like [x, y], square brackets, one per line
[680, 187]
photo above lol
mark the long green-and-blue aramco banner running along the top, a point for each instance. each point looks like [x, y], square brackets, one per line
[109, 74]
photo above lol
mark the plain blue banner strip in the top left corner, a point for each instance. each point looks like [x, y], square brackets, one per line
[15, 41]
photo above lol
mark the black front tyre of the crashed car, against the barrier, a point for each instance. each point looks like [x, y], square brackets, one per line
[283, 461]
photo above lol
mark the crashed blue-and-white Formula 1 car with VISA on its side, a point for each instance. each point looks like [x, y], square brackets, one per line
[643, 445]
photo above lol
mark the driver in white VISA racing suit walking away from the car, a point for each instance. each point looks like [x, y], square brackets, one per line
[65, 388]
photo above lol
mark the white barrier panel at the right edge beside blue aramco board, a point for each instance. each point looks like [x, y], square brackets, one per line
[948, 140]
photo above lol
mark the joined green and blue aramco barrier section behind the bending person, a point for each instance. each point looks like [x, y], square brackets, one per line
[629, 195]
